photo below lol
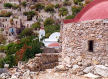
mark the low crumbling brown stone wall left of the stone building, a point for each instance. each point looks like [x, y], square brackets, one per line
[43, 61]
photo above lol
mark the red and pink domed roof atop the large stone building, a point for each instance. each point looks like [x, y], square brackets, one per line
[97, 9]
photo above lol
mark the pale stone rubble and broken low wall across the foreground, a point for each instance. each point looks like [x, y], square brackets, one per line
[83, 66]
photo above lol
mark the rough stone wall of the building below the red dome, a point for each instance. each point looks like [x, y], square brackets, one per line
[75, 37]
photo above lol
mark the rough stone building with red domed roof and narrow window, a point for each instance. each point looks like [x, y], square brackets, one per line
[87, 33]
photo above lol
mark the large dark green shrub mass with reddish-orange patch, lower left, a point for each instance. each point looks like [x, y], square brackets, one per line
[33, 47]
